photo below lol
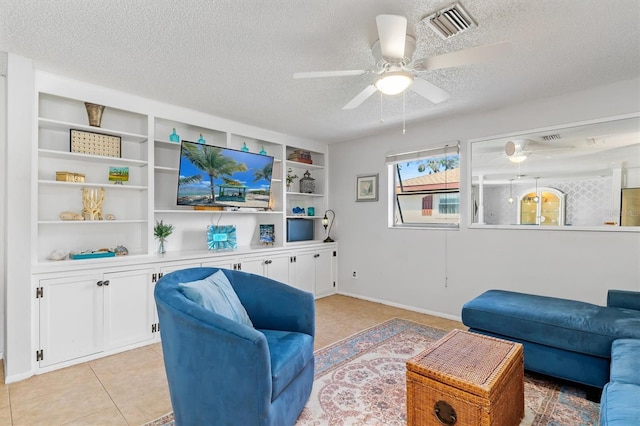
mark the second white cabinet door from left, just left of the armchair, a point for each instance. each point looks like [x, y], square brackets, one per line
[129, 307]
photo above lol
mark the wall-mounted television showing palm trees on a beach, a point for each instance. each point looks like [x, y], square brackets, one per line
[213, 176]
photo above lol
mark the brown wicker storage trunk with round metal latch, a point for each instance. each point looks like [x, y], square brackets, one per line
[466, 379]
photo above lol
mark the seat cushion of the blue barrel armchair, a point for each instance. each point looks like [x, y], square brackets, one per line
[290, 352]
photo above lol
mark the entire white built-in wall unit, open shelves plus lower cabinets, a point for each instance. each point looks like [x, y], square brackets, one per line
[86, 309]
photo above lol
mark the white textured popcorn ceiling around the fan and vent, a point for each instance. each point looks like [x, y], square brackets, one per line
[235, 59]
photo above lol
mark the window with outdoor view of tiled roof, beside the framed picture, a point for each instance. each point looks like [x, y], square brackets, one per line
[426, 188]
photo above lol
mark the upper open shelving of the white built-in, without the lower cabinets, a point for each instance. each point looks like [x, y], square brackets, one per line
[151, 192]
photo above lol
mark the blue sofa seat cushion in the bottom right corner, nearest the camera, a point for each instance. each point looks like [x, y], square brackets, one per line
[619, 404]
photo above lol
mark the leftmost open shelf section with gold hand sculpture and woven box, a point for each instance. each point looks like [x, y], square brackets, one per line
[104, 167]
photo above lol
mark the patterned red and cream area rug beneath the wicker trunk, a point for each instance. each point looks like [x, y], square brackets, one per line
[361, 381]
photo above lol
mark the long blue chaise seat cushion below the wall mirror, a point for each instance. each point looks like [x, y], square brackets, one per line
[560, 323]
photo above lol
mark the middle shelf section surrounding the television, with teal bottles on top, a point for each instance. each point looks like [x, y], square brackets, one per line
[191, 222]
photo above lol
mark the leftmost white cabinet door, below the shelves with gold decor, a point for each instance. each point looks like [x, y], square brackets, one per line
[71, 318]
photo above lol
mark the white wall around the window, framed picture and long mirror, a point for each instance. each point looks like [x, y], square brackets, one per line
[437, 271]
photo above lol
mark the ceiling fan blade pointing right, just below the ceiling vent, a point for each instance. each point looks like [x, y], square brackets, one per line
[472, 55]
